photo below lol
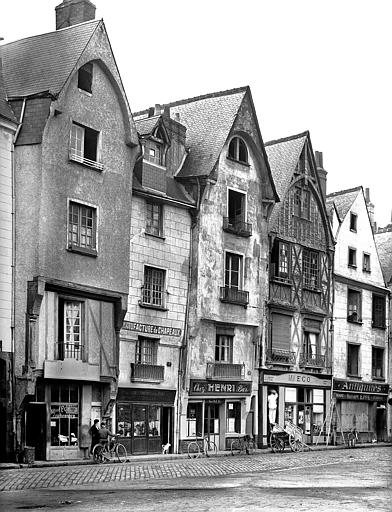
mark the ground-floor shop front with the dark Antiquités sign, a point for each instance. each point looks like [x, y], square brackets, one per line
[363, 406]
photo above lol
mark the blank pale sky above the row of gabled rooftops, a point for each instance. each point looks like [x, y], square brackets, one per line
[317, 65]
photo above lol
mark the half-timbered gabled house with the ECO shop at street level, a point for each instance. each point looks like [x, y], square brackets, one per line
[296, 364]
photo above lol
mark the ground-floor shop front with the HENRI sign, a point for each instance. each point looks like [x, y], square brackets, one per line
[220, 410]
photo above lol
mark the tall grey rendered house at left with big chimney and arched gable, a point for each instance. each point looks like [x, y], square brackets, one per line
[74, 157]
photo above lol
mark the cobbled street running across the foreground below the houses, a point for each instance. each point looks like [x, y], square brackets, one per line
[346, 480]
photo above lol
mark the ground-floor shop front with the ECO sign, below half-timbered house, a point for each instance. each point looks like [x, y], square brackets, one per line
[304, 399]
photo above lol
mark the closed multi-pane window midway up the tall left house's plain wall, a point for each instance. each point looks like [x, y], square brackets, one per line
[82, 228]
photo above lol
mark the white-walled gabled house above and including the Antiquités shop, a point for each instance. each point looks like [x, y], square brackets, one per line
[360, 341]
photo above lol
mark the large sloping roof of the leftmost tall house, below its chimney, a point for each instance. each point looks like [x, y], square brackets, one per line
[43, 63]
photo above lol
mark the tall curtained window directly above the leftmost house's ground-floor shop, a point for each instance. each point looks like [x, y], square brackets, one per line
[70, 330]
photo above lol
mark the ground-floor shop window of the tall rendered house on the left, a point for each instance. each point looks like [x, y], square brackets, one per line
[64, 414]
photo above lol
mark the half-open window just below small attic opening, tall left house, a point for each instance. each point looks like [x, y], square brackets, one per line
[85, 146]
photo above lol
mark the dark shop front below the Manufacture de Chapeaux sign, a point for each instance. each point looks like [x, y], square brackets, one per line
[145, 419]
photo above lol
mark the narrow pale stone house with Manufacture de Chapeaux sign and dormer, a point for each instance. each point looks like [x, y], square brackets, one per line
[152, 337]
